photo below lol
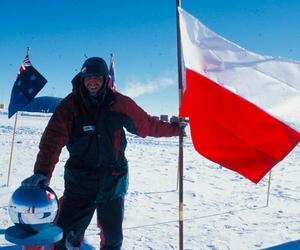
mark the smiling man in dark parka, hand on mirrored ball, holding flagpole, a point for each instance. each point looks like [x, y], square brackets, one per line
[90, 122]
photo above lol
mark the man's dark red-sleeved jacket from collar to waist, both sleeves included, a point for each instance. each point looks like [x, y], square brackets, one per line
[95, 136]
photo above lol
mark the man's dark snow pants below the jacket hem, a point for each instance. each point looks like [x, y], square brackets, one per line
[75, 214]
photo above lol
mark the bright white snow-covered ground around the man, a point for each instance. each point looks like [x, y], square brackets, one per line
[222, 210]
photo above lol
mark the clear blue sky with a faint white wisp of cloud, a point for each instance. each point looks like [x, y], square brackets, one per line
[142, 36]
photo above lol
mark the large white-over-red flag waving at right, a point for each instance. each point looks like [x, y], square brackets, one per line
[244, 108]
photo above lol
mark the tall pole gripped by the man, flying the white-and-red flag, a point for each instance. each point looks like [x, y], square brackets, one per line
[180, 153]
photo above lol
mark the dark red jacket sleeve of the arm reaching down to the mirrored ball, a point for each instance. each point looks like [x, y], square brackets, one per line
[54, 138]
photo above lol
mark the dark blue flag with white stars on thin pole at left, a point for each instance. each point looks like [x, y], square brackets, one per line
[28, 83]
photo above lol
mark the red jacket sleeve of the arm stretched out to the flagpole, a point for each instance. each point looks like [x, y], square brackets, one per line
[140, 123]
